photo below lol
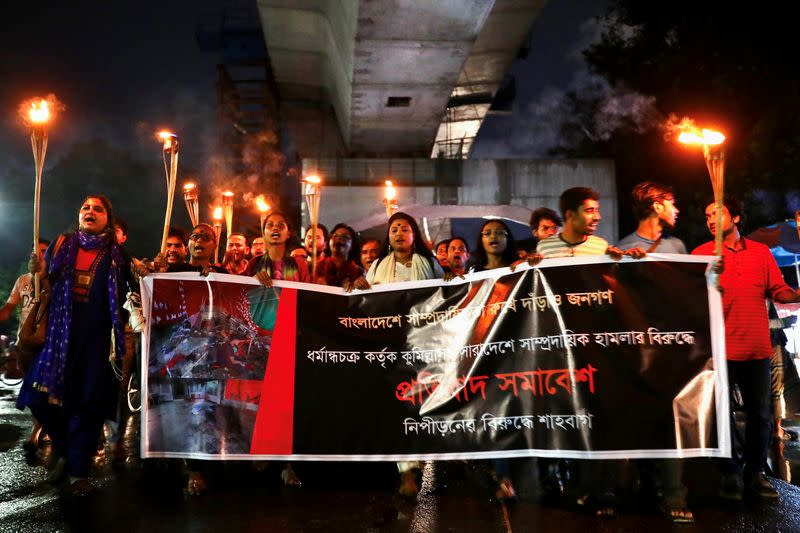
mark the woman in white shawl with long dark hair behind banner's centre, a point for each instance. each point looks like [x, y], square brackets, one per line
[404, 257]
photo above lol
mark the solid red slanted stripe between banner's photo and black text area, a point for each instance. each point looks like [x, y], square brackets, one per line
[275, 418]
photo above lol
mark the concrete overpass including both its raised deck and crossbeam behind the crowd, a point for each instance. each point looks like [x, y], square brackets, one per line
[397, 89]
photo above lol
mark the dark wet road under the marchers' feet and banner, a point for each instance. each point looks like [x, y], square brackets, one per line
[147, 496]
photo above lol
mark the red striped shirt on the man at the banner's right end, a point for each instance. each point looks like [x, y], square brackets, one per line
[750, 277]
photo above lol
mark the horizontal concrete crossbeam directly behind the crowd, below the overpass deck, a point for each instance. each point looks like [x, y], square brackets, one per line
[473, 188]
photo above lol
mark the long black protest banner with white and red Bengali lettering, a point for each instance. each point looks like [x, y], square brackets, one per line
[583, 358]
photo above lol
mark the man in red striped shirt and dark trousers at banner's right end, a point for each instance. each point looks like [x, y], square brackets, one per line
[749, 278]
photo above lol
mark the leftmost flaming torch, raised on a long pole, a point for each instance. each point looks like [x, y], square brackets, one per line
[36, 113]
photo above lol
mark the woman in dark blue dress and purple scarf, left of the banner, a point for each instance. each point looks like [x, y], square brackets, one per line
[71, 386]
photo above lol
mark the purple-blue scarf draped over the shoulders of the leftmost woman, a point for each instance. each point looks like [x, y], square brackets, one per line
[48, 374]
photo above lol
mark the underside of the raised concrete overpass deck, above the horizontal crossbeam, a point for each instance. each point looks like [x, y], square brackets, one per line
[390, 78]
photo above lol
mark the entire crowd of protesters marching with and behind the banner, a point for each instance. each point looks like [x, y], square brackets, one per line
[71, 389]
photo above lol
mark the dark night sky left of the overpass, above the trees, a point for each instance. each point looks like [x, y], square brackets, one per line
[122, 68]
